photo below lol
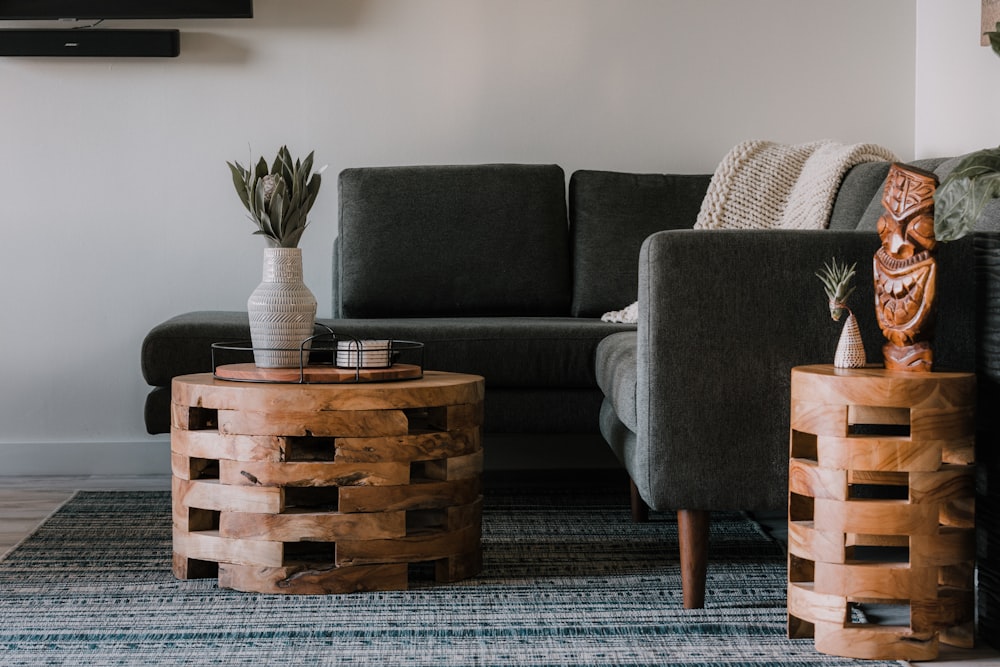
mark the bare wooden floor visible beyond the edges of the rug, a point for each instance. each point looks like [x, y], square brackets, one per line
[25, 502]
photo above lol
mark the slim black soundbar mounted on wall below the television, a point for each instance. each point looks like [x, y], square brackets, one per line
[90, 42]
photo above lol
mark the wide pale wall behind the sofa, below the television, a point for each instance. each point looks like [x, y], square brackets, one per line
[118, 212]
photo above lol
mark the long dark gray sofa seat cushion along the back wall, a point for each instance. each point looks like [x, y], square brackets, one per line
[535, 352]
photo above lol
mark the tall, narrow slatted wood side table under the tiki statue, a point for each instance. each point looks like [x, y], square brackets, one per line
[881, 483]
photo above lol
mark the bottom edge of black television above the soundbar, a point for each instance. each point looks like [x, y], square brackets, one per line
[124, 9]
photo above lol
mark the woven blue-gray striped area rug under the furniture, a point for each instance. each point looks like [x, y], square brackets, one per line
[568, 579]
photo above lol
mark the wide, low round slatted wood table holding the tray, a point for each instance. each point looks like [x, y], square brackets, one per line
[326, 488]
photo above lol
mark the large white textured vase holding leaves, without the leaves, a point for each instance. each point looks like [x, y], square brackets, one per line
[282, 311]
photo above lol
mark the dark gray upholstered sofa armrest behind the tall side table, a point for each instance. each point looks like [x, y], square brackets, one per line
[723, 317]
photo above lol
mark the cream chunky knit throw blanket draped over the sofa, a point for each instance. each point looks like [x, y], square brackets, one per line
[767, 185]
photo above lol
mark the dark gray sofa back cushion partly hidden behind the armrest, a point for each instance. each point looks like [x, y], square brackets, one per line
[611, 214]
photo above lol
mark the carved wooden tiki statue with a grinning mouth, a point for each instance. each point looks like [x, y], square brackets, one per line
[906, 270]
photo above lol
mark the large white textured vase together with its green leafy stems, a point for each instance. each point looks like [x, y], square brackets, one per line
[282, 310]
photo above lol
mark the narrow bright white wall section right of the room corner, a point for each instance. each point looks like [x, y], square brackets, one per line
[957, 80]
